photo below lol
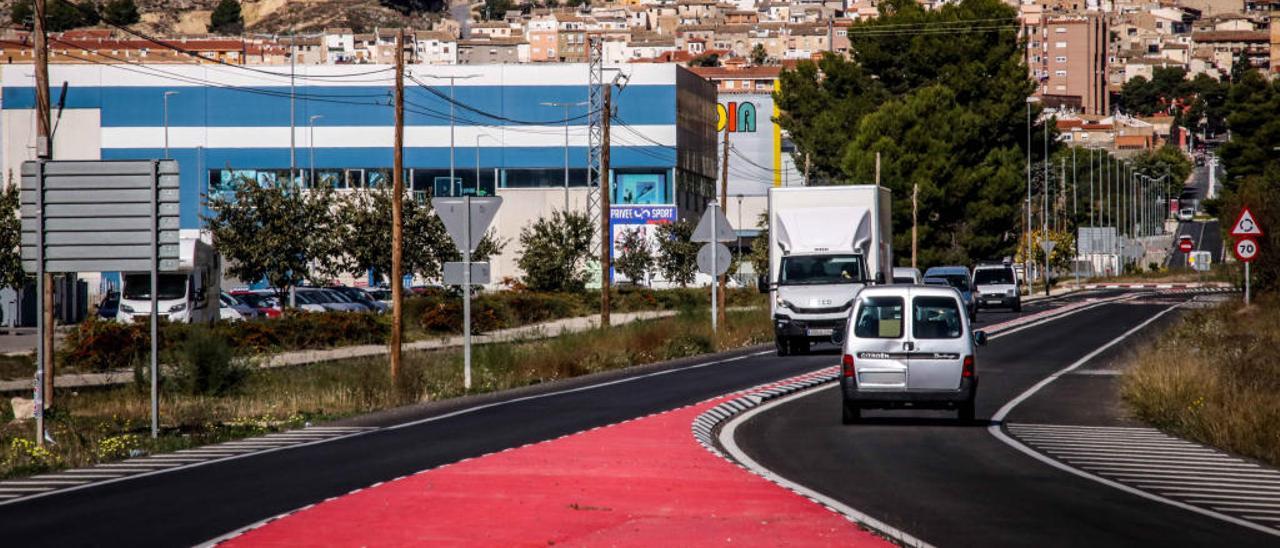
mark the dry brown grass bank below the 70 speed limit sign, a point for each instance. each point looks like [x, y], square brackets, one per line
[1214, 378]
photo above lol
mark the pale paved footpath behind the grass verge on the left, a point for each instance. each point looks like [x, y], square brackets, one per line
[314, 357]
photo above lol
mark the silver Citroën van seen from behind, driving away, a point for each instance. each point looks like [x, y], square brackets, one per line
[909, 348]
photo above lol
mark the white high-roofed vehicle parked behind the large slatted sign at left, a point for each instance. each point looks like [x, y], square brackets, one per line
[190, 295]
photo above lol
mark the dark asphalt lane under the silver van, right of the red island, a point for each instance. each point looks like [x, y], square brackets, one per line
[956, 485]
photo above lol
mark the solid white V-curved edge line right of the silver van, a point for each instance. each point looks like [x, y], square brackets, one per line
[999, 433]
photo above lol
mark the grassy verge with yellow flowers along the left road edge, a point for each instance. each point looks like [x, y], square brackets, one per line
[112, 424]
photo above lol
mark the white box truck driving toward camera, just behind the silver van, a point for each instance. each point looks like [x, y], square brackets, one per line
[825, 245]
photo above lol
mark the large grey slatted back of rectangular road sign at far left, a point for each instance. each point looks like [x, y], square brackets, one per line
[100, 216]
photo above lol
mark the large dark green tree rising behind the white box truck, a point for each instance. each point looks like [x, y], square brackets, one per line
[947, 112]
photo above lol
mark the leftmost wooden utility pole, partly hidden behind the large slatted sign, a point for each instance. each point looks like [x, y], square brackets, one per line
[44, 152]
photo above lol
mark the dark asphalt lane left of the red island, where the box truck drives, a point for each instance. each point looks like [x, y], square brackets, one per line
[195, 505]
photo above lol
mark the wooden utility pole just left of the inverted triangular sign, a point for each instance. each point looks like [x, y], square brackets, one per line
[397, 209]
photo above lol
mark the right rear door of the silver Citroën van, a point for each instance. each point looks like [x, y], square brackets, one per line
[939, 344]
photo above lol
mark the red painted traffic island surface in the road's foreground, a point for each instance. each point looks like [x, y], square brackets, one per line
[644, 482]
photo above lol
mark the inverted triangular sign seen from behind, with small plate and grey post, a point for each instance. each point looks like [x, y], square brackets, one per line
[464, 218]
